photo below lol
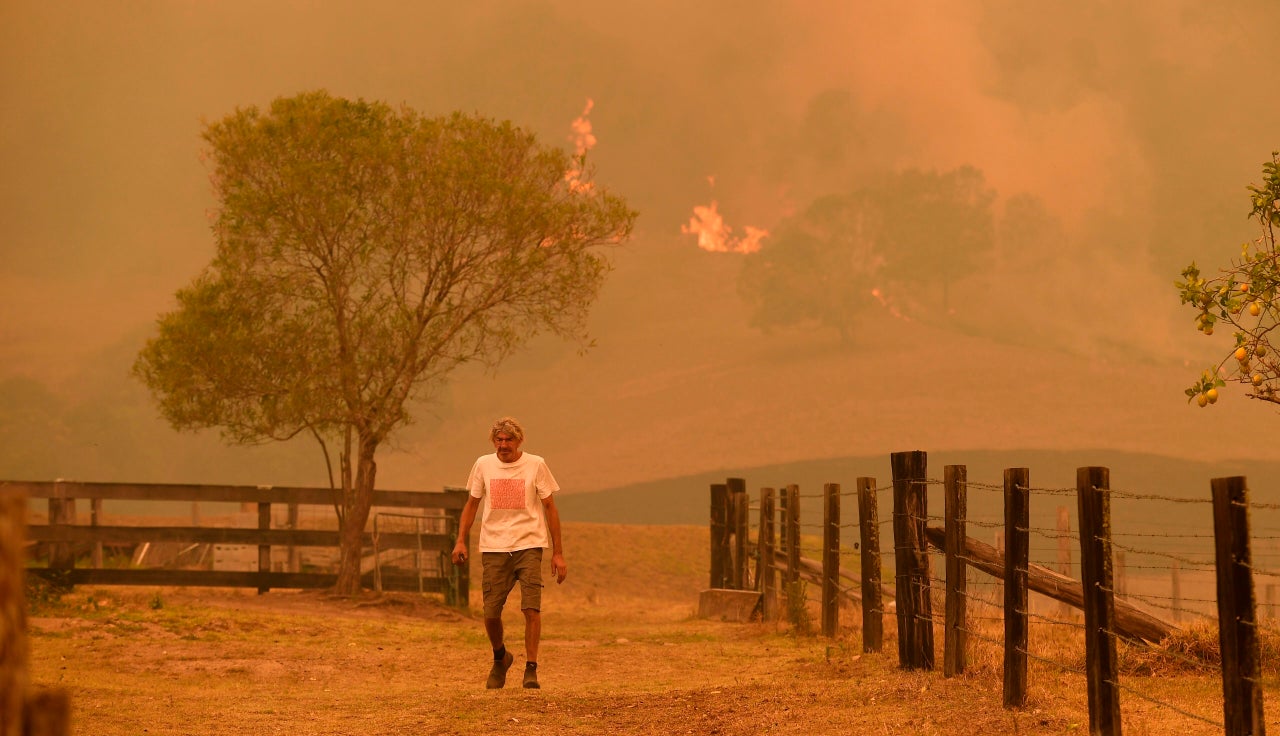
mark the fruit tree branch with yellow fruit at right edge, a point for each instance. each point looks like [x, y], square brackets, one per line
[1247, 298]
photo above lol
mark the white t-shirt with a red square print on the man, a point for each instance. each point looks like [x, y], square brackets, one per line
[513, 499]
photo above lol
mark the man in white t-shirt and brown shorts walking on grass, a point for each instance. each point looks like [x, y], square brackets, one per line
[519, 522]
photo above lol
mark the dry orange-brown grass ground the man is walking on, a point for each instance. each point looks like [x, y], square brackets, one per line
[623, 653]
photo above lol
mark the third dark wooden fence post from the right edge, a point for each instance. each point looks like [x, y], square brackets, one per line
[1017, 559]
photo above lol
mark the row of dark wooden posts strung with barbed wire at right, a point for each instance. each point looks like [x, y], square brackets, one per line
[1108, 616]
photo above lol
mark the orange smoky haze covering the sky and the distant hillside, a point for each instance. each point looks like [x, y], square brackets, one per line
[1118, 141]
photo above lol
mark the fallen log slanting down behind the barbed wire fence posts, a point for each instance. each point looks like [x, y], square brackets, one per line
[1131, 621]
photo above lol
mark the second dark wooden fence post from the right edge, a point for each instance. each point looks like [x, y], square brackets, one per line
[1092, 487]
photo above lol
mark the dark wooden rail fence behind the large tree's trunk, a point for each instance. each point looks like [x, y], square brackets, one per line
[68, 541]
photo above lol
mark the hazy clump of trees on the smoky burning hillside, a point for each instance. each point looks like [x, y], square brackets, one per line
[911, 228]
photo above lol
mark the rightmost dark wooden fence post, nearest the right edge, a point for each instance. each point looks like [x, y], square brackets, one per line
[1237, 611]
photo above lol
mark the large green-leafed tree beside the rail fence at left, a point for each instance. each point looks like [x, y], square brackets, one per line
[363, 254]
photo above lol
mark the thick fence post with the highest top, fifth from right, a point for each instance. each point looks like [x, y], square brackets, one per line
[912, 561]
